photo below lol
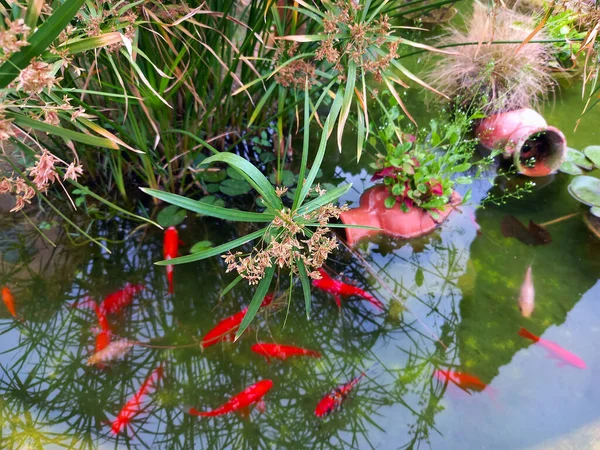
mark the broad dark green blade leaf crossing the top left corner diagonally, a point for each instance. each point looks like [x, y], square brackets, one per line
[39, 41]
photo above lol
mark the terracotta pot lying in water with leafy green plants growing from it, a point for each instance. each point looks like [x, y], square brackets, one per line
[393, 221]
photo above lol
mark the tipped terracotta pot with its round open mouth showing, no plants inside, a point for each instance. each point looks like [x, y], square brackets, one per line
[524, 134]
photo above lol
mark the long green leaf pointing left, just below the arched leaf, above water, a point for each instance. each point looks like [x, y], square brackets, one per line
[208, 209]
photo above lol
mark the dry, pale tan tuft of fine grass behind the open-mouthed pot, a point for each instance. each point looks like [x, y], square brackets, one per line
[489, 69]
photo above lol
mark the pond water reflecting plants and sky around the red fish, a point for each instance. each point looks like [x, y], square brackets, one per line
[451, 304]
